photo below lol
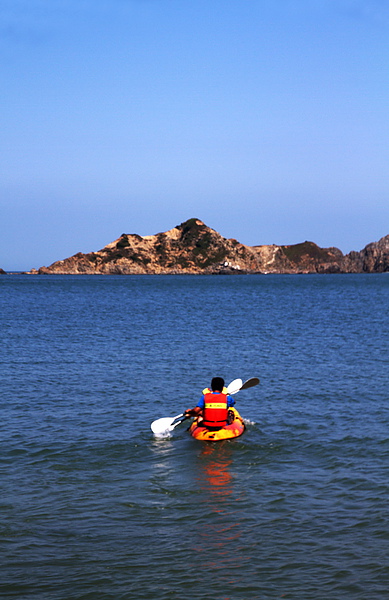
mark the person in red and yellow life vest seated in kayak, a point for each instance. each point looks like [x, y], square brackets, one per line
[212, 409]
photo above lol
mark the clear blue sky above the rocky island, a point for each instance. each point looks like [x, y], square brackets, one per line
[268, 121]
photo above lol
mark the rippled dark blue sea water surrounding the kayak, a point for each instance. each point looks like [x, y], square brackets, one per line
[93, 507]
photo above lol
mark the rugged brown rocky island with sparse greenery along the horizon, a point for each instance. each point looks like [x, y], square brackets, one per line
[192, 247]
